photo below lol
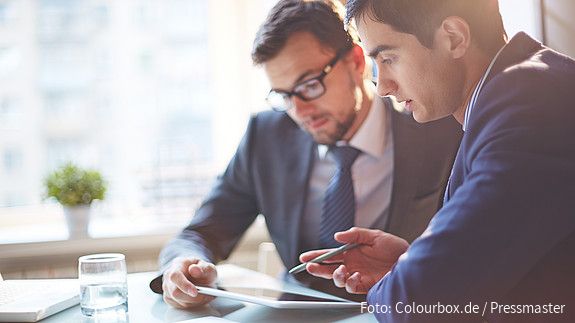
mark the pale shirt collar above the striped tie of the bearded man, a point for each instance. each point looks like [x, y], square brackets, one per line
[373, 126]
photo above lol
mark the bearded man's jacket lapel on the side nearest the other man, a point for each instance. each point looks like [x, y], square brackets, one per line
[406, 167]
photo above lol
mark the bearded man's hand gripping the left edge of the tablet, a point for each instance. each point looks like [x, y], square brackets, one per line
[180, 280]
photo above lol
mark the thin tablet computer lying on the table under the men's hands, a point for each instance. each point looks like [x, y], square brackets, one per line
[276, 298]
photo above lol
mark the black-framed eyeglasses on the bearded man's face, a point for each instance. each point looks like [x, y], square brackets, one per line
[307, 90]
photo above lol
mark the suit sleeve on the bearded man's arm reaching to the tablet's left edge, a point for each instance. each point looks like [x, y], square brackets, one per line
[223, 217]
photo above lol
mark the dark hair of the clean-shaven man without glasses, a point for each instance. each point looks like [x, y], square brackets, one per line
[421, 18]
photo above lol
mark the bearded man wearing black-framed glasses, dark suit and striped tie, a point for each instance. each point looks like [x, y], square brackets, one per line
[334, 156]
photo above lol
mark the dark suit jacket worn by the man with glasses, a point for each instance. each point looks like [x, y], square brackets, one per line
[269, 175]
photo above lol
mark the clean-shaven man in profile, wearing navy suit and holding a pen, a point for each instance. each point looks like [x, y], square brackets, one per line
[505, 237]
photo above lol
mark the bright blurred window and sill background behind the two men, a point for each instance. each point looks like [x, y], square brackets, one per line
[154, 94]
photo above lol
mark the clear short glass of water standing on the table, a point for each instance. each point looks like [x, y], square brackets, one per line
[103, 285]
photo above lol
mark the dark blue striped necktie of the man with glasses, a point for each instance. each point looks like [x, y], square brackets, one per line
[338, 213]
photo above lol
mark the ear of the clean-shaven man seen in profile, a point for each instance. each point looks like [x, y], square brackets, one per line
[454, 34]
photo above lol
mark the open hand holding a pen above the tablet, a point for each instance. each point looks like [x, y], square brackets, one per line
[358, 269]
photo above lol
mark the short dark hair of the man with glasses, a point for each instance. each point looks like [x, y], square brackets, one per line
[321, 18]
